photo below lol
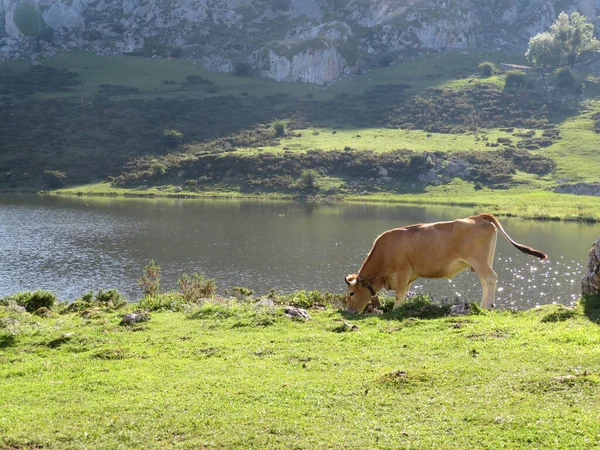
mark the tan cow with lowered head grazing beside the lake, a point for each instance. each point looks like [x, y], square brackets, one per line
[432, 250]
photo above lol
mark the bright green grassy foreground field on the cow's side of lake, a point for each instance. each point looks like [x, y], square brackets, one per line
[231, 375]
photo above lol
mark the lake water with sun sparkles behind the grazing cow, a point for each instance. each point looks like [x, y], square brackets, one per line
[73, 245]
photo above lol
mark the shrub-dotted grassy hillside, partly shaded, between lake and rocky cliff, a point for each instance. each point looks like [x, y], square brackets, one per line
[165, 127]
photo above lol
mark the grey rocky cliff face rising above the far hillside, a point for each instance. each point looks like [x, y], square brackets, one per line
[315, 41]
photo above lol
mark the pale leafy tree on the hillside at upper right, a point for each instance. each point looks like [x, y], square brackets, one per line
[563, 42]
